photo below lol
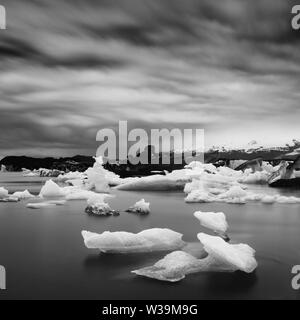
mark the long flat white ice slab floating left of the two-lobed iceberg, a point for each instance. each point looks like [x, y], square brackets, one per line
[125, 242]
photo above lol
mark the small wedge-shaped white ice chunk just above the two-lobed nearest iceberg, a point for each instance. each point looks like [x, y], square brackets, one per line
[215, 221]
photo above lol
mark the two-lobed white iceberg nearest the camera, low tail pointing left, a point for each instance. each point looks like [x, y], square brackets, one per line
[222, 257]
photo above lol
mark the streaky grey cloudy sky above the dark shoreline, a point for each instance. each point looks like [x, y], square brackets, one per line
[71, 67]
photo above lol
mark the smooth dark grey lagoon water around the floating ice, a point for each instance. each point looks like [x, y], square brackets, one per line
[45, 258]
